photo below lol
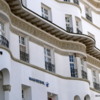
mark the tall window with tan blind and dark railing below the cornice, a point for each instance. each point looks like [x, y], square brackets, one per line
[23, 49]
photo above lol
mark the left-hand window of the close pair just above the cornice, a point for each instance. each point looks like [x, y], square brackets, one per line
[68, 20]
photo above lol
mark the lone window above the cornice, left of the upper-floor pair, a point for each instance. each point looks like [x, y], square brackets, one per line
[46, 12]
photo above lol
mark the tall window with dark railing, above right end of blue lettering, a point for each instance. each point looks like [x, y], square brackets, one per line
[49, 61]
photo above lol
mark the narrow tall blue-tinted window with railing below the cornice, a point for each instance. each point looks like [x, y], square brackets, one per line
[73, 66]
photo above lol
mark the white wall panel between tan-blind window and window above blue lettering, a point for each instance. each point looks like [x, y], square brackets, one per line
[36, 53]
